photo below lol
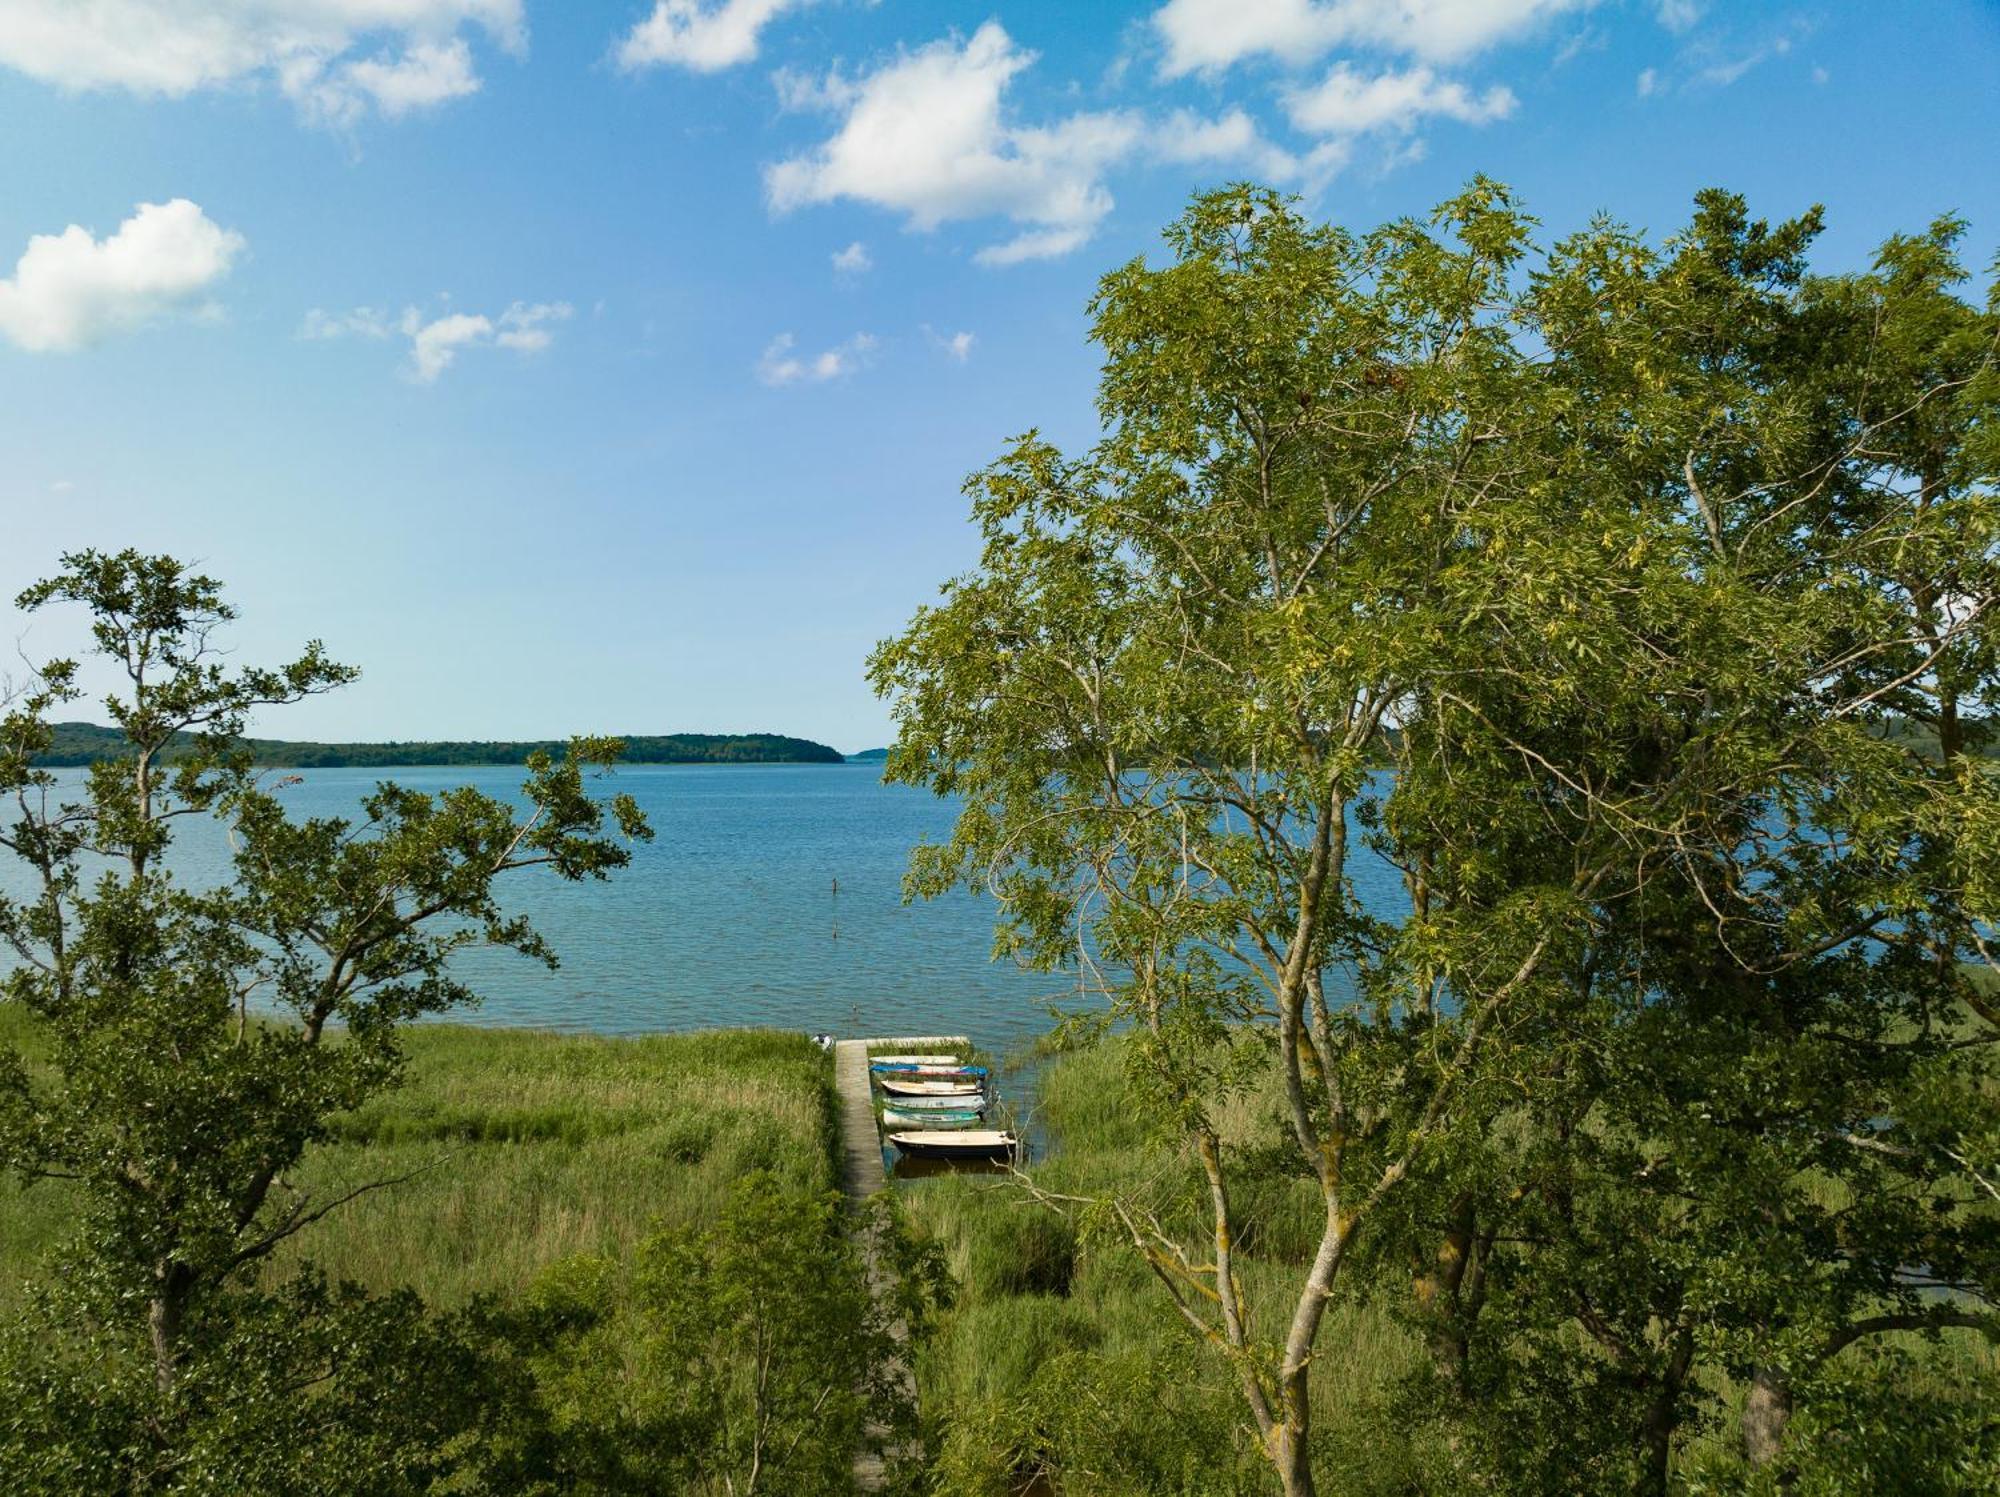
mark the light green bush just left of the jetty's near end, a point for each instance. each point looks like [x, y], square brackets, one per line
[709, 1354]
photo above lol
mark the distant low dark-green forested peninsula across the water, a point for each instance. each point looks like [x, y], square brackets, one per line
[85, 743]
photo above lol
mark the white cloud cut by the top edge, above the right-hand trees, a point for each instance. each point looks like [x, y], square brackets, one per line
[1209, 35]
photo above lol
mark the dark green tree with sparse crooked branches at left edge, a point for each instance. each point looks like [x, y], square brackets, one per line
[199, 1040]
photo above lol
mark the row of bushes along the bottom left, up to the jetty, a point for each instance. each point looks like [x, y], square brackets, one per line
[733, 1358]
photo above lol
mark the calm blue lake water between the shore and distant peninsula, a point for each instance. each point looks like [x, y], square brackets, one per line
[729, 916]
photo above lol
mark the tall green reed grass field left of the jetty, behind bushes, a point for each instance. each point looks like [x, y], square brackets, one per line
[525, 1150]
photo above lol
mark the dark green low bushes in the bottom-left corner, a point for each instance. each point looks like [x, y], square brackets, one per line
[257, 1406]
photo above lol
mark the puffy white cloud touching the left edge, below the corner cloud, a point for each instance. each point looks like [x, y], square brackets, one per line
[73, 289]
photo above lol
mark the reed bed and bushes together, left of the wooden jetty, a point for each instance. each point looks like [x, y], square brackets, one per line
[597, 1228]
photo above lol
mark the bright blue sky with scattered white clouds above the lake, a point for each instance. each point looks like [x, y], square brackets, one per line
[503, 343]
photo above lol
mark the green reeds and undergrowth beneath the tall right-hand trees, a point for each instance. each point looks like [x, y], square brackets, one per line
[1059, 1360]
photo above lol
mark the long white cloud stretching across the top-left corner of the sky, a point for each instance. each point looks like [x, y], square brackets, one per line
[177, 47]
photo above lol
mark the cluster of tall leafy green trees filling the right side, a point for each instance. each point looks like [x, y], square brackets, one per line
[1587, 589]
